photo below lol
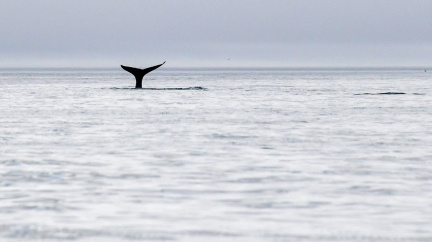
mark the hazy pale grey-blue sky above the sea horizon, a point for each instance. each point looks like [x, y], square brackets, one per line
[206, 33]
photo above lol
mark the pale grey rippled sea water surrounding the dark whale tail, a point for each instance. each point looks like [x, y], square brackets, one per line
[216, 155]
